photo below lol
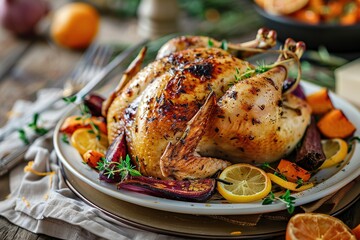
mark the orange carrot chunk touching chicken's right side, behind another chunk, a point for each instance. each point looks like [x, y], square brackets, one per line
[320, 101]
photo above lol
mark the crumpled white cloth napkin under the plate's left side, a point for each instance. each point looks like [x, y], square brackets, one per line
[44, 204]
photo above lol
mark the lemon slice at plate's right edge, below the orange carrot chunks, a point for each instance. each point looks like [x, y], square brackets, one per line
[335, 151]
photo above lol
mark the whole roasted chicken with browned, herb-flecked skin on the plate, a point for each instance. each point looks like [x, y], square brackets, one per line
[198, 108]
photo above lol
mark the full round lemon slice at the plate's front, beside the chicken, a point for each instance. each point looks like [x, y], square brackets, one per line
[249, 183]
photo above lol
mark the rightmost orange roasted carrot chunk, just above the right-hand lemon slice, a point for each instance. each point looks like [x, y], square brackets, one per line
[335, 124]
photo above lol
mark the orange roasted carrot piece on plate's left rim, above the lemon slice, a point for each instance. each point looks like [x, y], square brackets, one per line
[73, 123]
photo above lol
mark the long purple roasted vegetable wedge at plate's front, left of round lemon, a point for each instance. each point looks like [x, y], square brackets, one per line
[184, 190]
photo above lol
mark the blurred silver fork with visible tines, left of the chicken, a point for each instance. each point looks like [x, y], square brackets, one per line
[92, 62]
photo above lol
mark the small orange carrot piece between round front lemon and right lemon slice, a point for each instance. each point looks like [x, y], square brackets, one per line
[292, 171]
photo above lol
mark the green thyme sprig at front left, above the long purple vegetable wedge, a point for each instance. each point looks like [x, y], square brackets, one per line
[124, 168]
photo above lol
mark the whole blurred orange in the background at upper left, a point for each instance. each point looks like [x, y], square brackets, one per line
[75, 25]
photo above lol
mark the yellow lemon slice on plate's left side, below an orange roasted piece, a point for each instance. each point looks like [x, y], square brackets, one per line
[84, 139]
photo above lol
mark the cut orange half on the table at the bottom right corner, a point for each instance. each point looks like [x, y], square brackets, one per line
[316, 226]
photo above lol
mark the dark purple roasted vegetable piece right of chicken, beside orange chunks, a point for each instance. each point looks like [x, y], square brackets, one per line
[310, 154]
